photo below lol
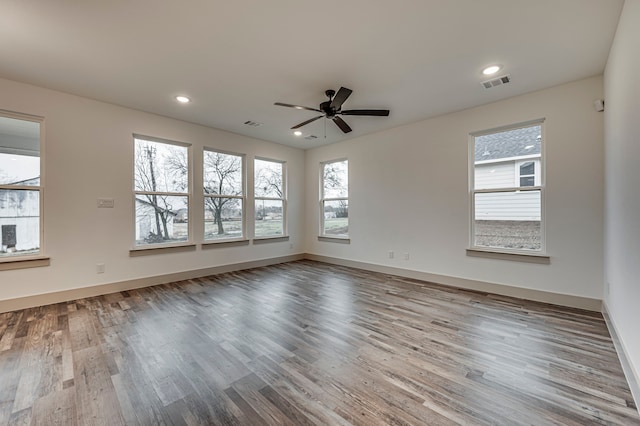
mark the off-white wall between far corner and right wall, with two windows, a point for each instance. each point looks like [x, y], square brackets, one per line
[409, 193]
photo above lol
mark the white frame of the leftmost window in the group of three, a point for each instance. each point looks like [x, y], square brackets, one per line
[188, 195]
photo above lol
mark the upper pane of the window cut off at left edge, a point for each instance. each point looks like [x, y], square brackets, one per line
[19, 152]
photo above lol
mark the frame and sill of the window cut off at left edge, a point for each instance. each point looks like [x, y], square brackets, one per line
[34, 259]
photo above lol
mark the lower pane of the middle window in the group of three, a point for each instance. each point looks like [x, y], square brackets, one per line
[222, 218]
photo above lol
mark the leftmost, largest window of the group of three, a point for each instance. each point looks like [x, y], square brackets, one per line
[162, 191]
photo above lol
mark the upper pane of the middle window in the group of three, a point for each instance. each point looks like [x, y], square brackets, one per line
[222, 173]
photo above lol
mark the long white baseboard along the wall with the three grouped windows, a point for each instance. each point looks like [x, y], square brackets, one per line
[98, 290]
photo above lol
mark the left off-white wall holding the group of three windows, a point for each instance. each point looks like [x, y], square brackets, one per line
[88, 153]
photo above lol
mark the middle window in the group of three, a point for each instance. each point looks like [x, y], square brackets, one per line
[223, 196]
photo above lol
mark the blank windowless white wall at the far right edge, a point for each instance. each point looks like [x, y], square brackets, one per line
[622, 219]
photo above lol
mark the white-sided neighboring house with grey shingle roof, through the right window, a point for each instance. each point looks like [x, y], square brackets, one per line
[508, 160]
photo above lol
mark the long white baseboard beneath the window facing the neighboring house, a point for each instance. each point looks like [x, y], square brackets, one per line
[504, 290]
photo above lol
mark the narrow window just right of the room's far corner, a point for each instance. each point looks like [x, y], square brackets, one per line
[334, 199]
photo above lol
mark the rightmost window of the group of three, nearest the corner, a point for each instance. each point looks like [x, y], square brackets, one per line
[269, 198]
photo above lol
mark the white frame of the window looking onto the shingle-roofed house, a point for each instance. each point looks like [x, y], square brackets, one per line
[539, 185]
